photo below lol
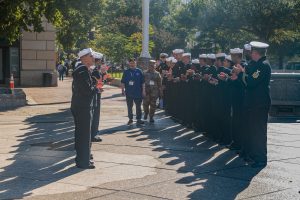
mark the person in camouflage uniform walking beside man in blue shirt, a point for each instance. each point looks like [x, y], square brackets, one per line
[153, 88]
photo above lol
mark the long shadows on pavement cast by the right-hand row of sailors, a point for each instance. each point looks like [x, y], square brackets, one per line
[217, 173]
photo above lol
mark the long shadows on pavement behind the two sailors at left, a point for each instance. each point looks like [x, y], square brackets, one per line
[43, 155]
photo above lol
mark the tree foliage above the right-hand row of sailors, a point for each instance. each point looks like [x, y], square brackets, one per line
[227, 22]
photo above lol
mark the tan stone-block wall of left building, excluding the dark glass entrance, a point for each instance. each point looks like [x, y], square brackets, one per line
[38, 56]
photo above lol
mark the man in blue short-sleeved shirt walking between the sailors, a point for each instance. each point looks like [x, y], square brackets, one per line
[133, 87]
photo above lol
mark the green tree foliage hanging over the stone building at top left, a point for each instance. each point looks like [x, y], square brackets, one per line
[72, 18]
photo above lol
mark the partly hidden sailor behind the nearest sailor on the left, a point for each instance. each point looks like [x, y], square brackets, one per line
[97, 98]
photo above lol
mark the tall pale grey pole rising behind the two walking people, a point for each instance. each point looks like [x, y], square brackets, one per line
[143, 60]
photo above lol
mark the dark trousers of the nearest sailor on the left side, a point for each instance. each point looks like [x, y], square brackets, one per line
[82, 120]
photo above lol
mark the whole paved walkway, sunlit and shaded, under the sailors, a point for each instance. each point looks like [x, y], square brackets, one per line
[160, 161]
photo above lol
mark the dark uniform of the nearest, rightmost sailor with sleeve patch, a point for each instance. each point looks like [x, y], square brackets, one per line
[257, 104]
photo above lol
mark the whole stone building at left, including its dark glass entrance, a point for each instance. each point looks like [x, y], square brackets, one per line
[29, 58]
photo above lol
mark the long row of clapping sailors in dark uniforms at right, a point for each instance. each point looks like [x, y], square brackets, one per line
[223, 96]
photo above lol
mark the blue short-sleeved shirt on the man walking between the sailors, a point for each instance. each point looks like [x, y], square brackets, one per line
[133, 80]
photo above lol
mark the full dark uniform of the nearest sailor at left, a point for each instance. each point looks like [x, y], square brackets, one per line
[83, 91]
